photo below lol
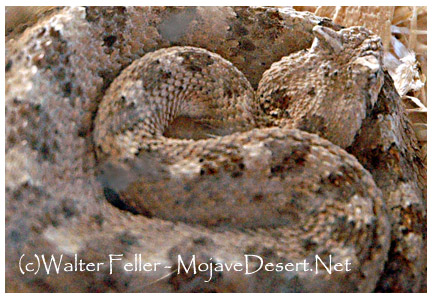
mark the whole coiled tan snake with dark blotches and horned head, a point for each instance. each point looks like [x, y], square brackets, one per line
[214, 132]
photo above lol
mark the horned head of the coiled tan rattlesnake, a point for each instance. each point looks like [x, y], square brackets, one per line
[331, 85]
